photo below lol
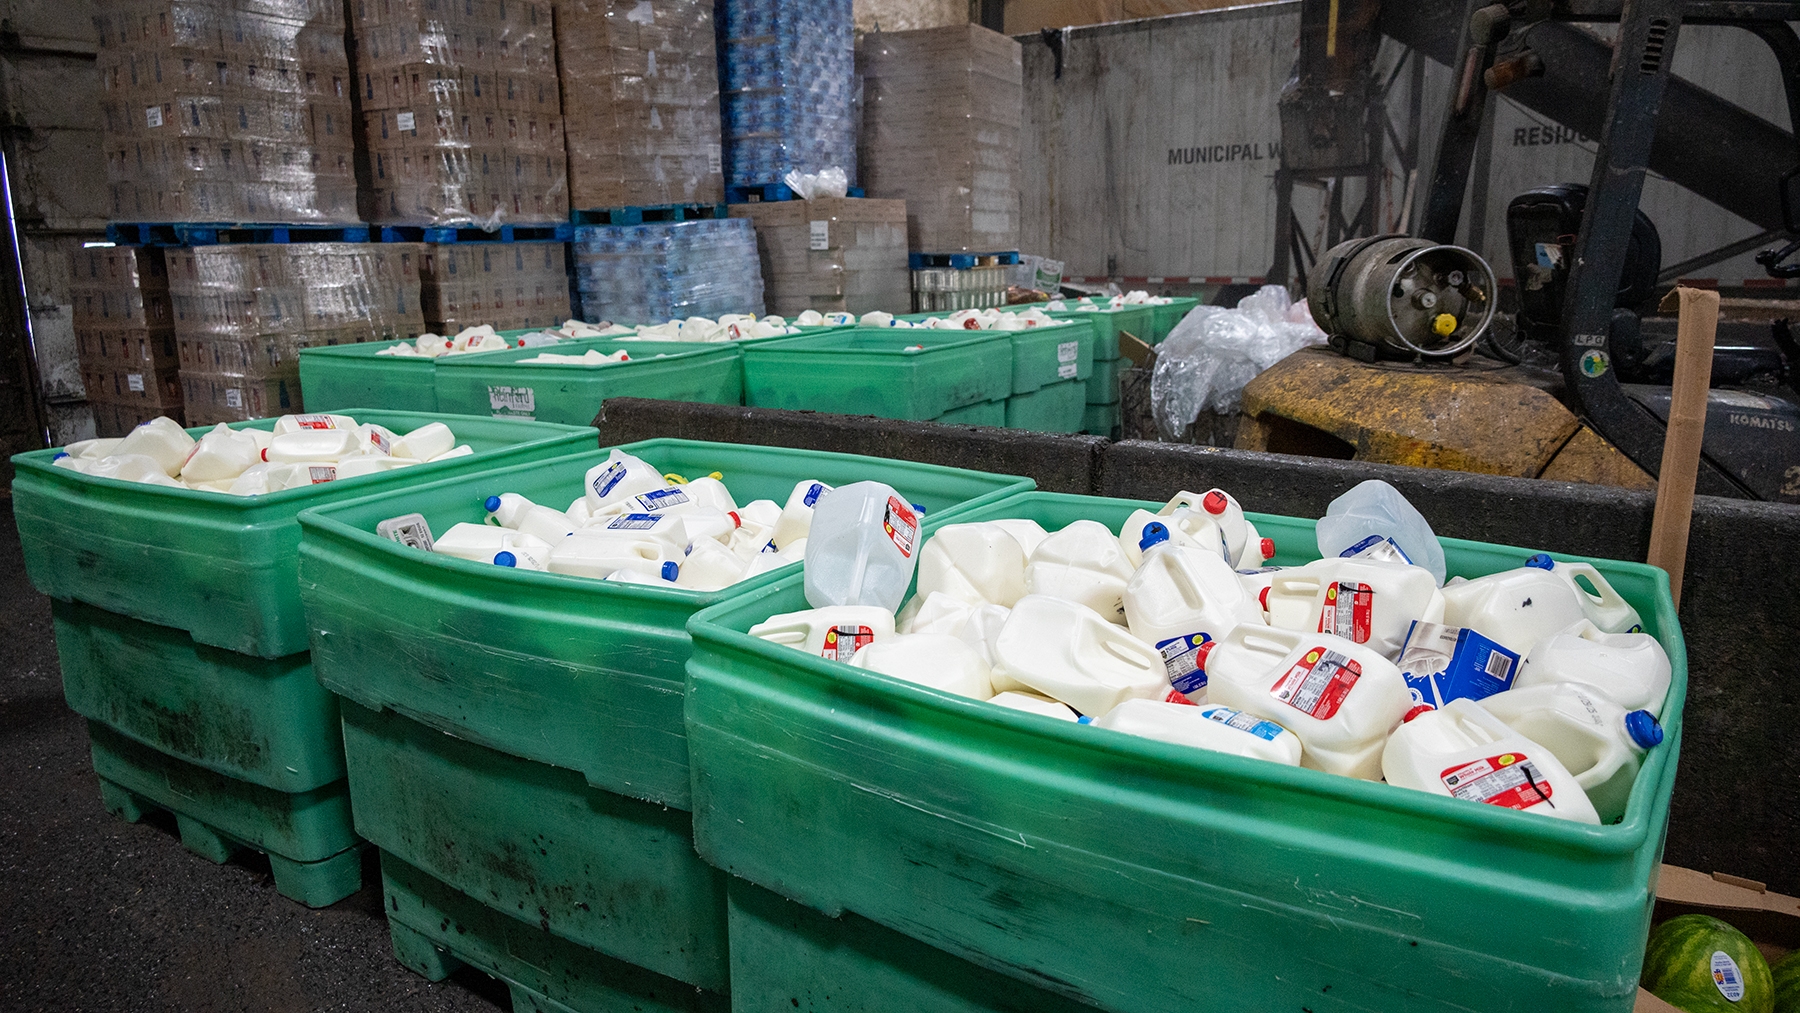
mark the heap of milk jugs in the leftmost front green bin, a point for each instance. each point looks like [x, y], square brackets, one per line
[300, 451]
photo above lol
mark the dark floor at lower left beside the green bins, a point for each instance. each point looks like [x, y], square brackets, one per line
[98, 915]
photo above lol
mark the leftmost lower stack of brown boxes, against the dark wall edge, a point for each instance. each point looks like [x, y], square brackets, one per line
[125, 337]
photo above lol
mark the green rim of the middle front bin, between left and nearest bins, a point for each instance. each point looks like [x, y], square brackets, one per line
[323, 521]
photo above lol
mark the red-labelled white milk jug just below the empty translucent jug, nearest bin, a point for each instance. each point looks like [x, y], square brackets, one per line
[1362, 602]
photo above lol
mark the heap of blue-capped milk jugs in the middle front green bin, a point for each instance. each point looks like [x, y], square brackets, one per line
[633, 524]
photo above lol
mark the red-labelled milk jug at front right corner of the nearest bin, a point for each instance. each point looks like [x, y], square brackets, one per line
[1466, 753]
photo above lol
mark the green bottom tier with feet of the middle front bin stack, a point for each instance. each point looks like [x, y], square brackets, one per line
[435, 929]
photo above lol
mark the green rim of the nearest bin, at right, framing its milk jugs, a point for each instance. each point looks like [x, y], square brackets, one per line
[1608, 839]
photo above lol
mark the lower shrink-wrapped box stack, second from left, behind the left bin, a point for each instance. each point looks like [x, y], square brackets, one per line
[244, 314]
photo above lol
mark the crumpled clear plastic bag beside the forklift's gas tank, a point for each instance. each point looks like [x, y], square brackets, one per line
[1214, 354]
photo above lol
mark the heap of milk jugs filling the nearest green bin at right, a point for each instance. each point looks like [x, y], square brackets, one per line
[1531, 688]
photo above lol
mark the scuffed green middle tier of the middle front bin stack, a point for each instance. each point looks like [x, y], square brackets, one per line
[539, 845]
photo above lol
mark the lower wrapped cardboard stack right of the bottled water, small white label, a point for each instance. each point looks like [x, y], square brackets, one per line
[831, 255]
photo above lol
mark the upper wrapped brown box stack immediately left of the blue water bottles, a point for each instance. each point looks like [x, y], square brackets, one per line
[640, 94]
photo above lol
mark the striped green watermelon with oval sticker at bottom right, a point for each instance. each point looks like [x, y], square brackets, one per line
[1704, 965]
